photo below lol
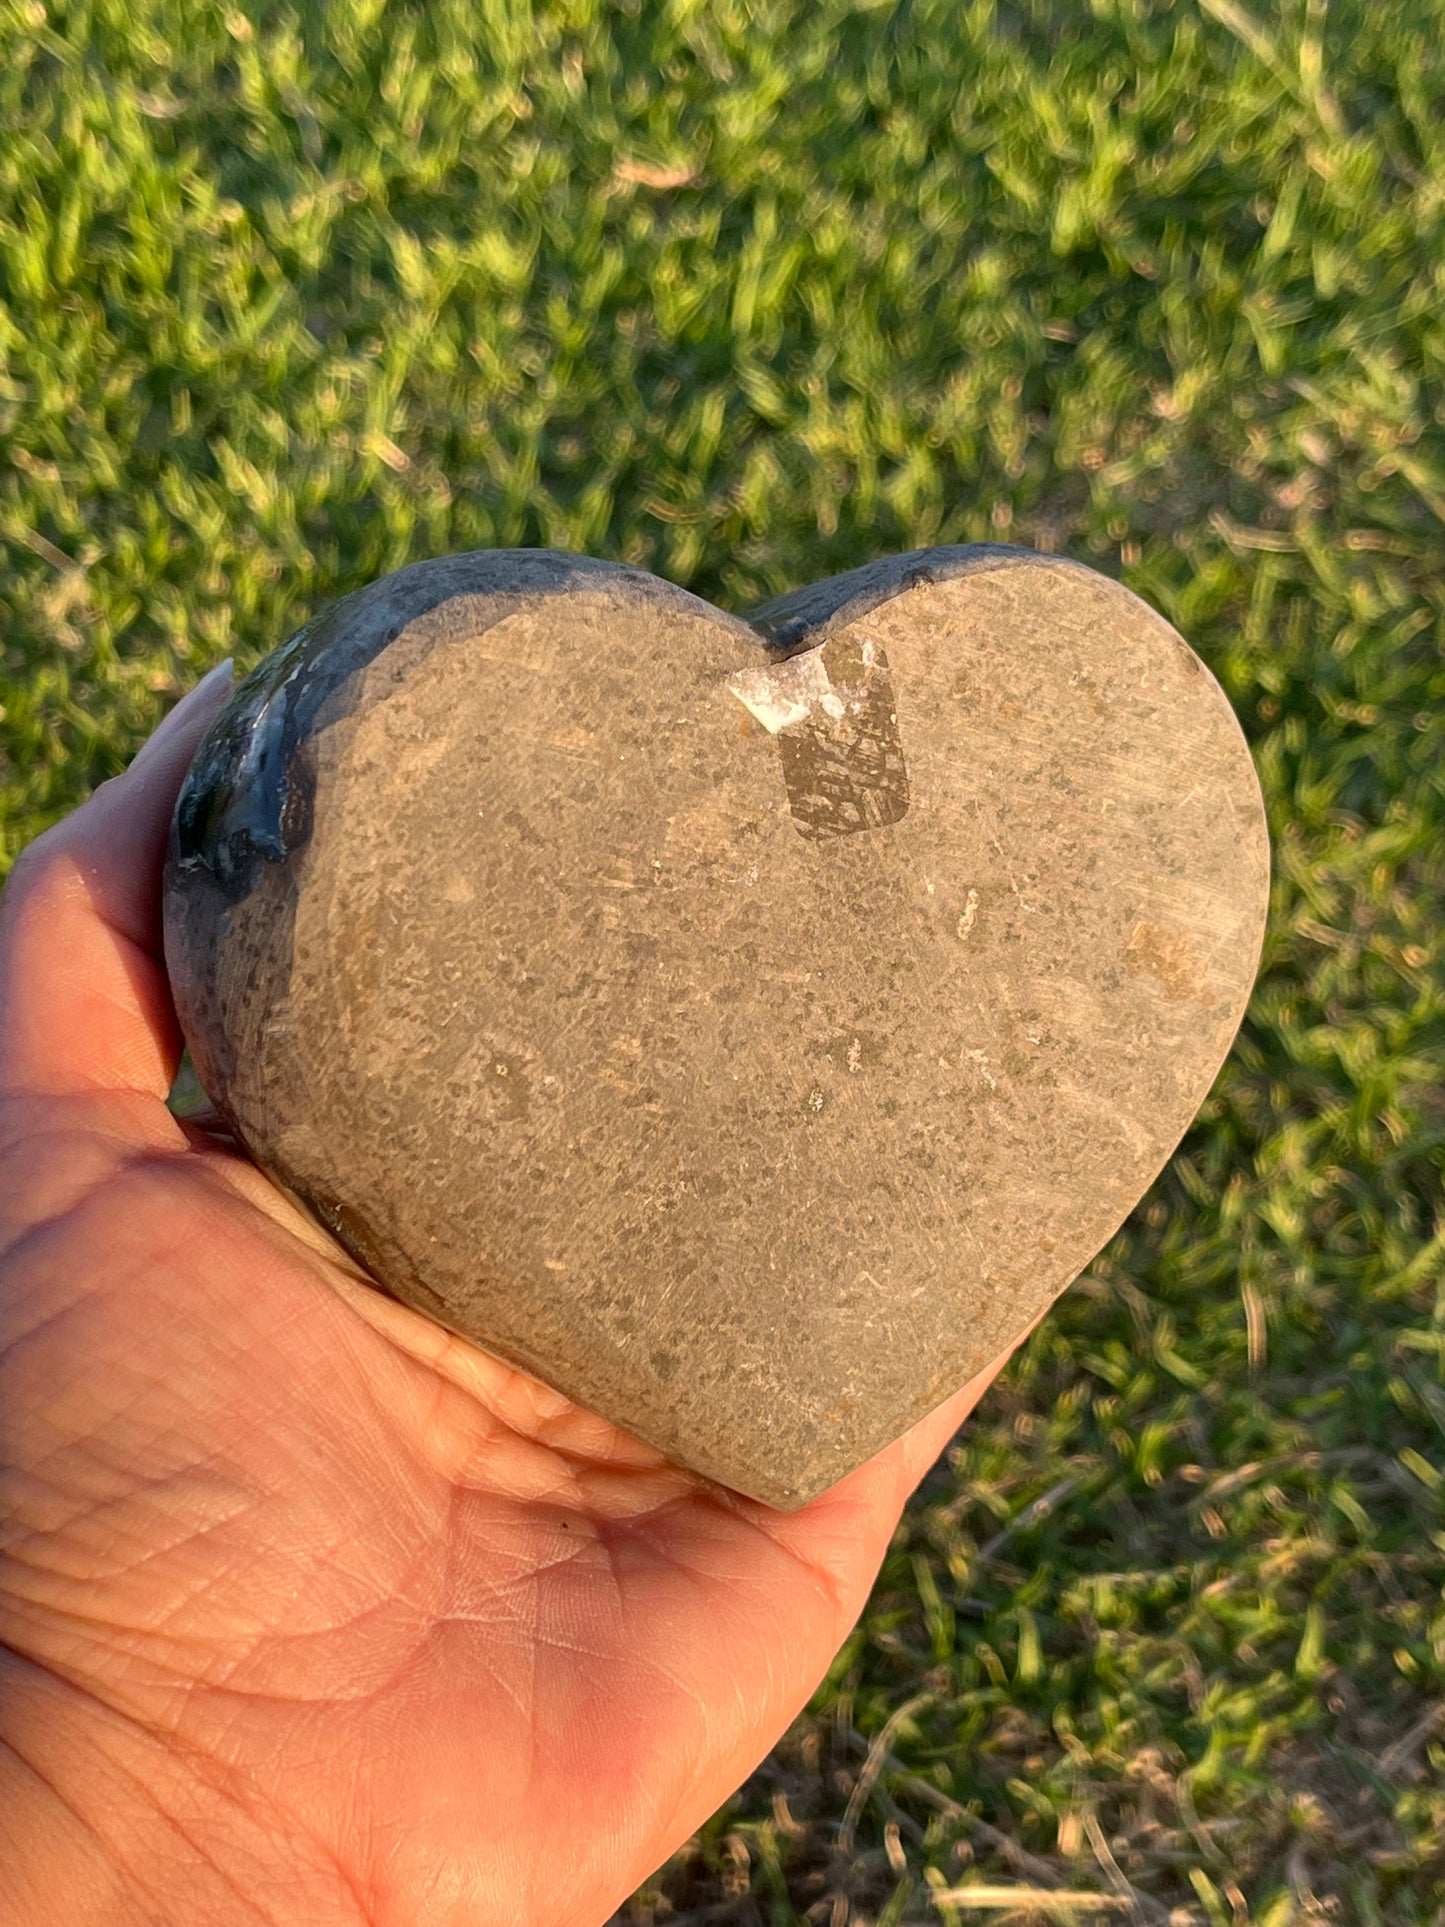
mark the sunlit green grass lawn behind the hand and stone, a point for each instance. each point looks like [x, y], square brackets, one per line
[749, 294]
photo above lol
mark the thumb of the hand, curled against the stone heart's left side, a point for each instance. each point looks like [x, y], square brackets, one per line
[84, 995]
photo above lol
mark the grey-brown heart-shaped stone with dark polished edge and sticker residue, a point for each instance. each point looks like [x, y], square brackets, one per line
[745, 1028]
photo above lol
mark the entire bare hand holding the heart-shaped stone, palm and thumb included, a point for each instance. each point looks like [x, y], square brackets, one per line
[311, 1612]
